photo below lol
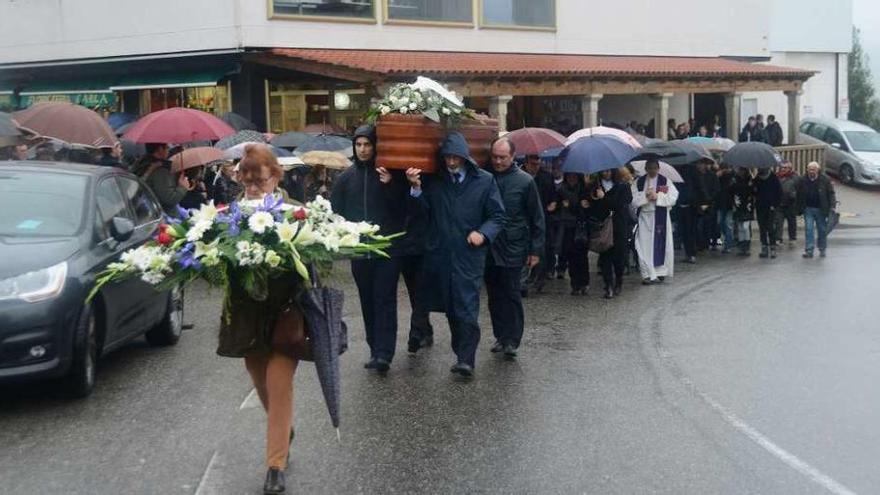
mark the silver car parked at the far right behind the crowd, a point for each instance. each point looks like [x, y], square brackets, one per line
[853, 153]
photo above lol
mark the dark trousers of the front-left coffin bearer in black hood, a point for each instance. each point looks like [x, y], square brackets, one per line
[376, 280]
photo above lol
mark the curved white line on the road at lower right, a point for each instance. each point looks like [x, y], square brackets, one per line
[732, 419]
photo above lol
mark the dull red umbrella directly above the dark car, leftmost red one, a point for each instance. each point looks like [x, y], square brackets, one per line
[67, 122]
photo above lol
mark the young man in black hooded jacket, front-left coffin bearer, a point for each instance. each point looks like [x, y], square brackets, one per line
[361, 193]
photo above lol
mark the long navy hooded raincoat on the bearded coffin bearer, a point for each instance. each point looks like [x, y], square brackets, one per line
[453, 267]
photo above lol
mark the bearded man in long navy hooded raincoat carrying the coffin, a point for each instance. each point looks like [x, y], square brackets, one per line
[465, 214]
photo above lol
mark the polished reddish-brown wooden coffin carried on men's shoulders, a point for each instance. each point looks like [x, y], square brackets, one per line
[414, 141]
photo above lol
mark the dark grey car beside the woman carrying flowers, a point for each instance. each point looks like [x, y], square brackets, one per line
[62, 223]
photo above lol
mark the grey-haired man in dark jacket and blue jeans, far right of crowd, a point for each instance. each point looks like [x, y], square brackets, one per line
[815, 200]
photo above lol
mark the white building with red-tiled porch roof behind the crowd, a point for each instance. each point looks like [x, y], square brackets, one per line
[566, 64]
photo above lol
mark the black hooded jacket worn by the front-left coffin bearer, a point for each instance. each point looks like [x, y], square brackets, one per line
[358, 195]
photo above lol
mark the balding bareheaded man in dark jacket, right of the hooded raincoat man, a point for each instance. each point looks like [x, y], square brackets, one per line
[519, 244]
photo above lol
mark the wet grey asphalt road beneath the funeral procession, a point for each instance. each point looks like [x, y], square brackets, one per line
[738, 376]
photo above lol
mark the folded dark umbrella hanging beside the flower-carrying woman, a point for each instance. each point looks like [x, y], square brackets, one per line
[322, 309]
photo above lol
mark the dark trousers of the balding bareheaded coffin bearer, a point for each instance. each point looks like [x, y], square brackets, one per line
[505, 303]
